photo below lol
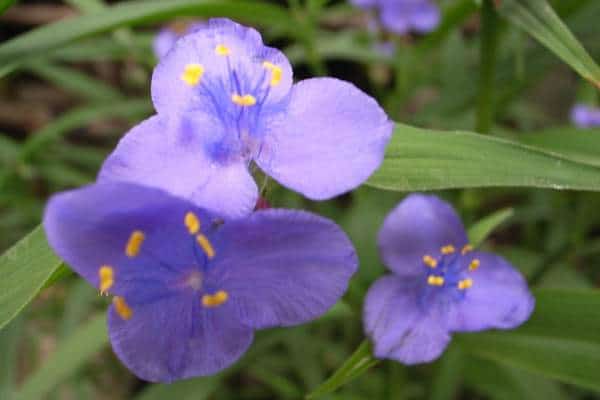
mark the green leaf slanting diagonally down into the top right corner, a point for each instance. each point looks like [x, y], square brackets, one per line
[537, 18]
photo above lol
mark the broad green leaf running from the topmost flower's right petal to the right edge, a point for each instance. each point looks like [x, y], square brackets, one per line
[421, 159]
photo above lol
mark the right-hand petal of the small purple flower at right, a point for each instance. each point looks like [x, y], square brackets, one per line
[499, 297]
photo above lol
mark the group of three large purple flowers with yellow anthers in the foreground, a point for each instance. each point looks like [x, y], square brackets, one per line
[169, 229]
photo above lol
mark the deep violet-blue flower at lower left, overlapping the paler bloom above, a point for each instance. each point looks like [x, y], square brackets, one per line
[189, 289]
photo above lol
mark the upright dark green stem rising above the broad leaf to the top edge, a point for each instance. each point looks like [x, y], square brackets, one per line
[488, 56]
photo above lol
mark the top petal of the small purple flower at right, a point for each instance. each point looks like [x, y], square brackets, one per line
[420, 225]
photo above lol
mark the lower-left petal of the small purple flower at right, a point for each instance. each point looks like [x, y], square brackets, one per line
[398, 327]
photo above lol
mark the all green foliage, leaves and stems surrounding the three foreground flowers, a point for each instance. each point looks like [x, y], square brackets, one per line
[463, 77]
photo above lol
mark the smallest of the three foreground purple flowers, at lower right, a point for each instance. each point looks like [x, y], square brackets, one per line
[440, 284]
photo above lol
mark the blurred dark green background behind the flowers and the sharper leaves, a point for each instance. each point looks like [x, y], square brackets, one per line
[64, 107]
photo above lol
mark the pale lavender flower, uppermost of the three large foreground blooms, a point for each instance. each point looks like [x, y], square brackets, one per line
[225, 100]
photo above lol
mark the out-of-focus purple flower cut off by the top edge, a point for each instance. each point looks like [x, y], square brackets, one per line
[403, 16]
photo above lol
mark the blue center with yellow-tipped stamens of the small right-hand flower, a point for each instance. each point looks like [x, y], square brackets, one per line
[446, 278]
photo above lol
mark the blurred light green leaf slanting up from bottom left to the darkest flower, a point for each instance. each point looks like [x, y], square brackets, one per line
[70, 355]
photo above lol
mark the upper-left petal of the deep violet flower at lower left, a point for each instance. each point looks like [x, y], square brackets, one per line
[137, 234]
